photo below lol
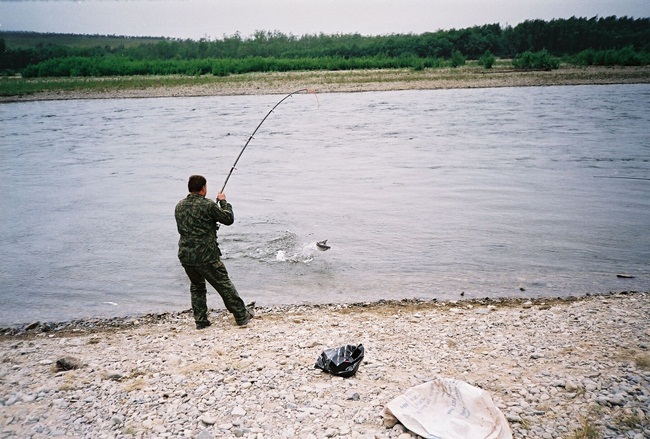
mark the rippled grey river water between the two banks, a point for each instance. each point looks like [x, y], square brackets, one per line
[523, 192]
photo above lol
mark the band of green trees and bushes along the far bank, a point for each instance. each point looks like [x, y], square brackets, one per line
[532, 44]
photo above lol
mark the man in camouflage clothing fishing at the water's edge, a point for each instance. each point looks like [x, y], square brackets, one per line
[198, 251]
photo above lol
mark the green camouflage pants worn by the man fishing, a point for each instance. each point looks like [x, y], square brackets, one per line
[217, 276]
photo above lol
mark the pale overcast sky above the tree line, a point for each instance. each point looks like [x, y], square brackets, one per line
[218, 18]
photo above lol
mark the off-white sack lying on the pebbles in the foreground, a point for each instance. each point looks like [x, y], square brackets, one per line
[444, 408]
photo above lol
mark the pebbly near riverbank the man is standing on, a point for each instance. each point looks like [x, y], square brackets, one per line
[553, 366]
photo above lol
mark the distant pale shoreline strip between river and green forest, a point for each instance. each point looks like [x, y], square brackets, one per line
[330, 82]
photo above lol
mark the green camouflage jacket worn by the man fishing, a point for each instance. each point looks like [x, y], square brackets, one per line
[196, 221]
